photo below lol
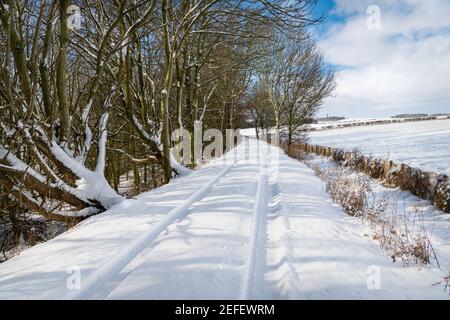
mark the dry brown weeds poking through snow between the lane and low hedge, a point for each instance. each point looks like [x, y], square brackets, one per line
[400, 231]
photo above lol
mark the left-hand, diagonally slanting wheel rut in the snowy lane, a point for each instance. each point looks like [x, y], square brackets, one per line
[112, 267]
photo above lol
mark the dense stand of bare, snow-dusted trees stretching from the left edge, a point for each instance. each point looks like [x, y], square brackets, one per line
[92, 89]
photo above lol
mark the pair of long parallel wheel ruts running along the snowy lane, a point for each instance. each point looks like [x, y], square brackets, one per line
[257, 240]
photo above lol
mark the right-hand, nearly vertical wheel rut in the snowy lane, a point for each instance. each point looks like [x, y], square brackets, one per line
[254, 265]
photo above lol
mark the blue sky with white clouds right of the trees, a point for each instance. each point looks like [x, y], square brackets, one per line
[391, 56]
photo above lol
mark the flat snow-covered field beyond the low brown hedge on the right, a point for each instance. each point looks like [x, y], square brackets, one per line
[421, 144]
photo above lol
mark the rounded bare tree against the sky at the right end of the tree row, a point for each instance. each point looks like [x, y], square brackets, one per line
[296, 81]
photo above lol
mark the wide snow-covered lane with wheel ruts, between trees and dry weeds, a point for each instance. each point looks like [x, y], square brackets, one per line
[254, 224]
